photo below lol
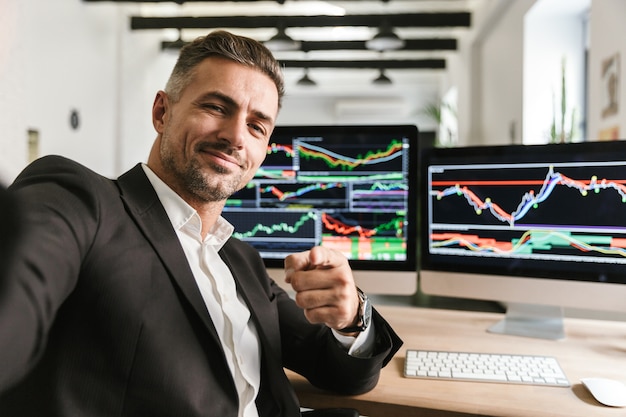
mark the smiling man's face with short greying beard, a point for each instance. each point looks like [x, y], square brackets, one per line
[215, 137]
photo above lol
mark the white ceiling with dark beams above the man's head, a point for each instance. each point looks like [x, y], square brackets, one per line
[332, 35]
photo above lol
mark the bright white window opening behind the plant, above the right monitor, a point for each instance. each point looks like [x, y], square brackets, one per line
[553, 31]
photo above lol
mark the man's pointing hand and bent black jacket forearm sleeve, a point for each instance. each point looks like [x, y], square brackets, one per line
[327, 294]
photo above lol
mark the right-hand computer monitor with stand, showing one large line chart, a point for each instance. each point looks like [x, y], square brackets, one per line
[537, 227]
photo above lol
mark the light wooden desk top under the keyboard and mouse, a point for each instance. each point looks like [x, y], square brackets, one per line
[591, 348]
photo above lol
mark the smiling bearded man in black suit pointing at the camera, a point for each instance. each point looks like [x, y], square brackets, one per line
[130, 298]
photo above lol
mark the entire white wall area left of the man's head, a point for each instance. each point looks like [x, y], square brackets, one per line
[66, 55]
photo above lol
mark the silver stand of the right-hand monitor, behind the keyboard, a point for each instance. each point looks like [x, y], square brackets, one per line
[538, 321]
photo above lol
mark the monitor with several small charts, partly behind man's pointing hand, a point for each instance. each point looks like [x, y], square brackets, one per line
[350, 188]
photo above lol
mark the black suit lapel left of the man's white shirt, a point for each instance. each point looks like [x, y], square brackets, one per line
[145, 208]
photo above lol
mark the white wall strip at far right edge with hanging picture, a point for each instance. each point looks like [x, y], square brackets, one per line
[607, 41]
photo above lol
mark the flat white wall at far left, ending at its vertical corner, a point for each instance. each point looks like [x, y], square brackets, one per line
[57, 57]
